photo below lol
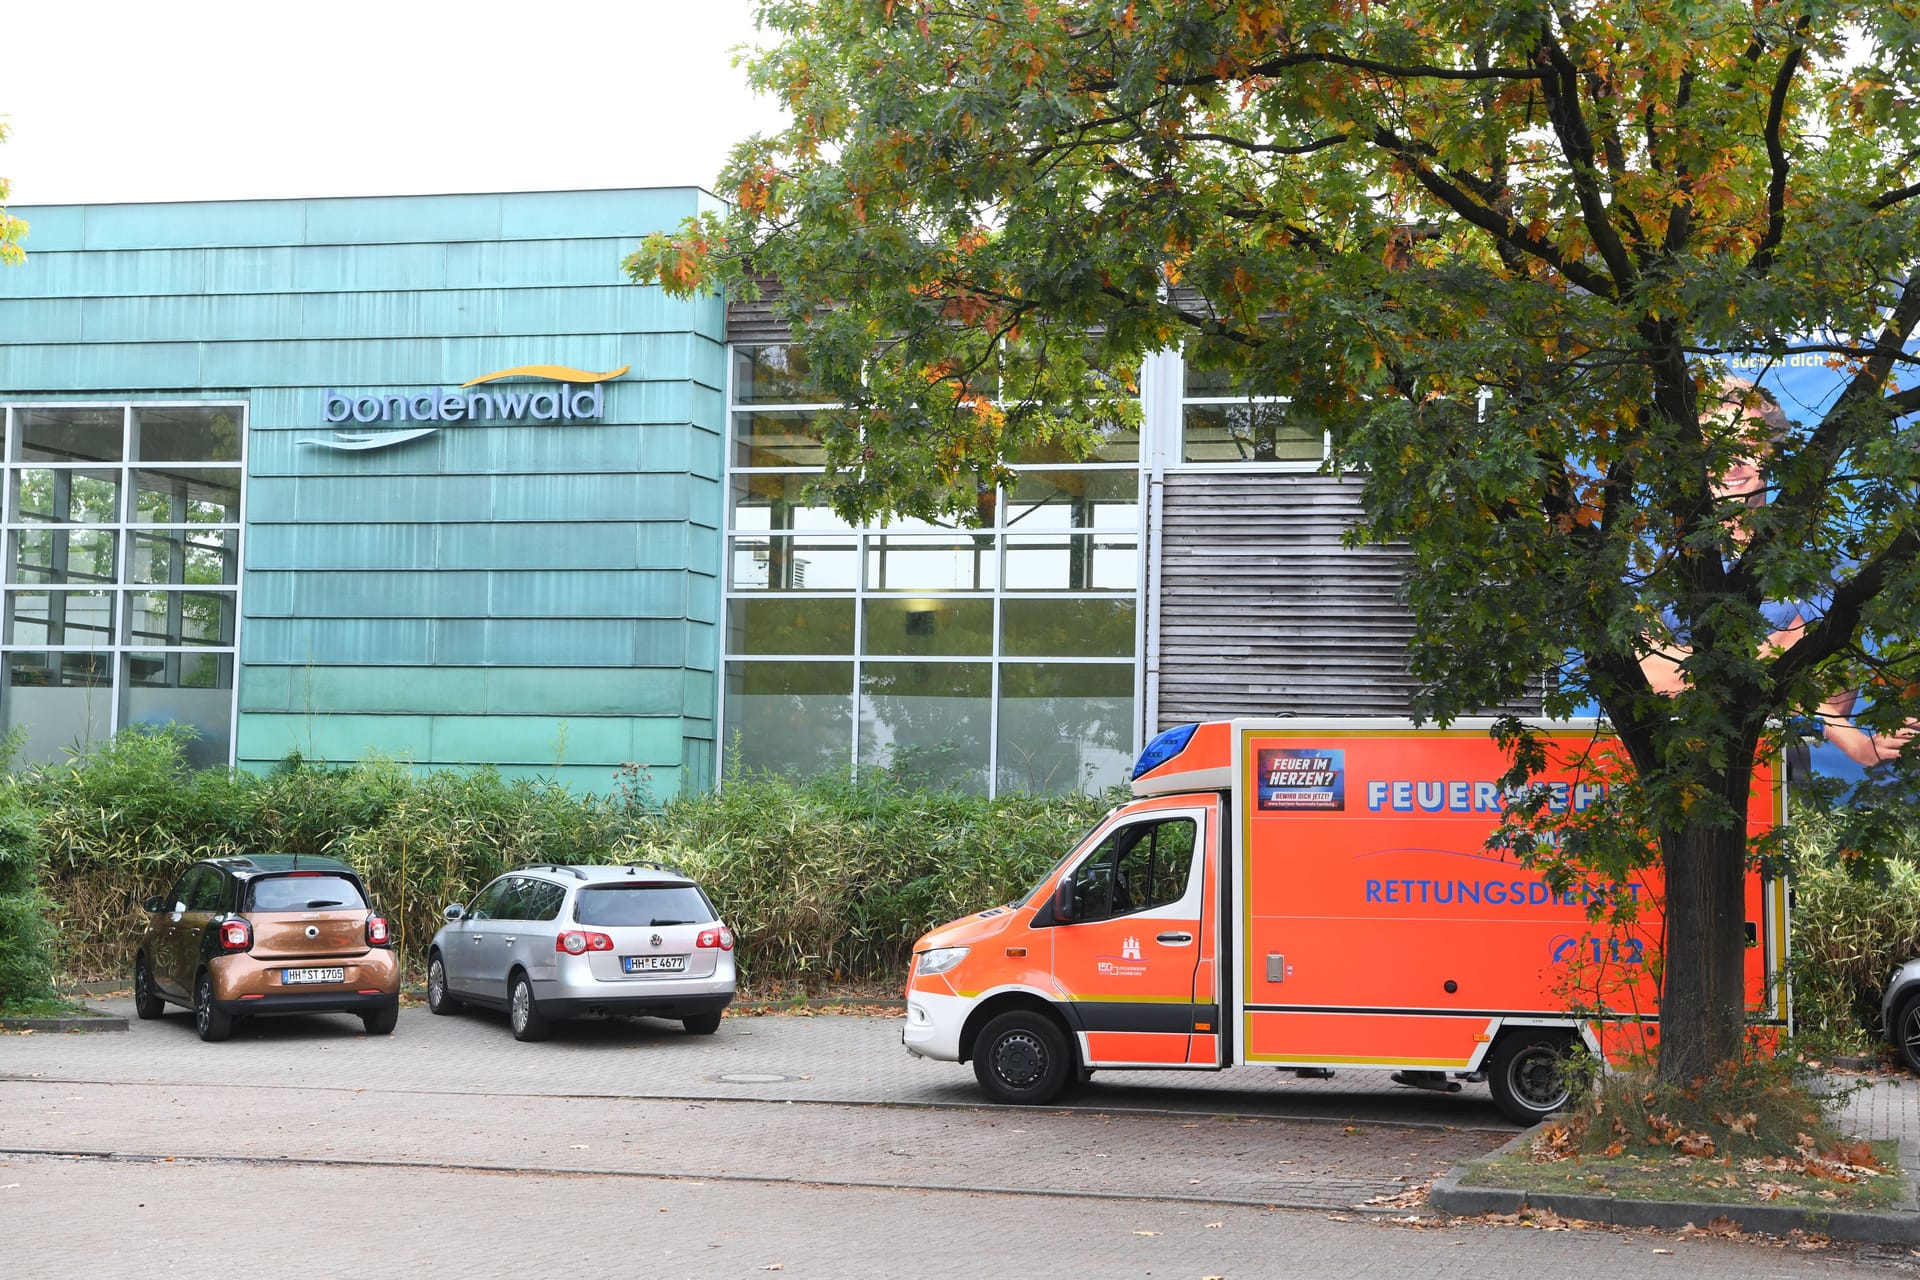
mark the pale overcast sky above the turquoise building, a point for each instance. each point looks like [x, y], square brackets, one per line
[249, 99]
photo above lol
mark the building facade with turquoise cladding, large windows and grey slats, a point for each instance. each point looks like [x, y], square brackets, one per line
[427, 477]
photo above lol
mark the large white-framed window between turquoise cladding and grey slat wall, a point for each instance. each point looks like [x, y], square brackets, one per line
[949, 661]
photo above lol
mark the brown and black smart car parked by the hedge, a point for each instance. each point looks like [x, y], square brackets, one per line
[272, 934]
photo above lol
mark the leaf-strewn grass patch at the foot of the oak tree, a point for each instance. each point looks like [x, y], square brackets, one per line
[1808, 1183]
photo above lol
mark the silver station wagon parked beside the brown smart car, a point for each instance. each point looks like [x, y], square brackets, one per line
[565, 941]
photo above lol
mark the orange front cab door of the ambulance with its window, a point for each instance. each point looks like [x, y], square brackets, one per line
[1128, 947]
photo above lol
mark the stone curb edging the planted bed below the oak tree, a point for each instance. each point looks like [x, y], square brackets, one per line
[1892, 1227]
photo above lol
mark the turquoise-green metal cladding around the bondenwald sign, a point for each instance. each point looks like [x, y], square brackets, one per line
[540, 598]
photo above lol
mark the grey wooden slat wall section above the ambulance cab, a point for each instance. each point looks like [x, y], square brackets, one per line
[1264, 613]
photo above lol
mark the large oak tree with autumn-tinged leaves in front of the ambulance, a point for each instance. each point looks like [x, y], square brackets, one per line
[1524, 260]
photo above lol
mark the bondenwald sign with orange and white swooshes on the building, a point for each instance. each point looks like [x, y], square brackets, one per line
[573, 396]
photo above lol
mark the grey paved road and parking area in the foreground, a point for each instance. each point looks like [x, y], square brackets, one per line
[798, 1145]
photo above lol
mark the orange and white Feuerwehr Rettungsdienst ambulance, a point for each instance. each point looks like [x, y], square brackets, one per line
[1314, 895]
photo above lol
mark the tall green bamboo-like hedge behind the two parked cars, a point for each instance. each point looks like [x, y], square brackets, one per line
[827, 880]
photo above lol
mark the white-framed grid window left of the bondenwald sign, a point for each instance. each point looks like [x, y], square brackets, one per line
[122, 573]
